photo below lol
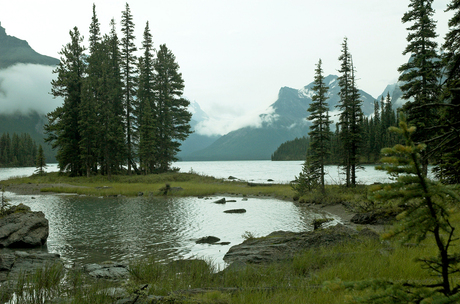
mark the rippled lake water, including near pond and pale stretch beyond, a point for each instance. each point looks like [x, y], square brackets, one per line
[89, 229]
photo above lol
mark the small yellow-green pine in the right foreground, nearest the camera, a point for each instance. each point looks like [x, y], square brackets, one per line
[427, 210]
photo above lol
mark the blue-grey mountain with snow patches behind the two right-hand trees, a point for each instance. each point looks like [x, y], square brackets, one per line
[284, 120]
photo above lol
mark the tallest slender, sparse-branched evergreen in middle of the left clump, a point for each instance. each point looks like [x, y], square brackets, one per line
[128, 67]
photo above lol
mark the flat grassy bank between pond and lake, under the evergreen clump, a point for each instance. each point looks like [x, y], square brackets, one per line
[190, 184]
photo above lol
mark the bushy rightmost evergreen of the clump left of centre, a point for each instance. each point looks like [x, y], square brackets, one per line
[171, 109]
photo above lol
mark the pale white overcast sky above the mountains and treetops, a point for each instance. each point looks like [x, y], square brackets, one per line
[236, 55]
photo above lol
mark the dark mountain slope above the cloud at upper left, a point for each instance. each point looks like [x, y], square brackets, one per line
[14, 50]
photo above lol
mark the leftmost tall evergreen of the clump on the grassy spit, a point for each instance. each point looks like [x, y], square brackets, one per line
[62, 128]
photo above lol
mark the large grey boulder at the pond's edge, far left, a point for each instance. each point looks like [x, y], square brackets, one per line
[23, 228]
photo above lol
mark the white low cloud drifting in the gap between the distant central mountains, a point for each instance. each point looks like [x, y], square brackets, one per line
[224, 124]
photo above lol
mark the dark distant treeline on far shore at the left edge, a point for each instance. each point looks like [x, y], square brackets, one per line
[17, 150]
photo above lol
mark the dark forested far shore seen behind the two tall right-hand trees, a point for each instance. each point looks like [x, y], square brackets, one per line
[375, 136]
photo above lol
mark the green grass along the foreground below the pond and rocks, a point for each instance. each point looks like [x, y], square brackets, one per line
[314, 276]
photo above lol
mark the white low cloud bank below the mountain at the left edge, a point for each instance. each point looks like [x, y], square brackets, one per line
[25, 88]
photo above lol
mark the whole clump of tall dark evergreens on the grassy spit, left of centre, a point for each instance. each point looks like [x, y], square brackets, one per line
[119, 110]
